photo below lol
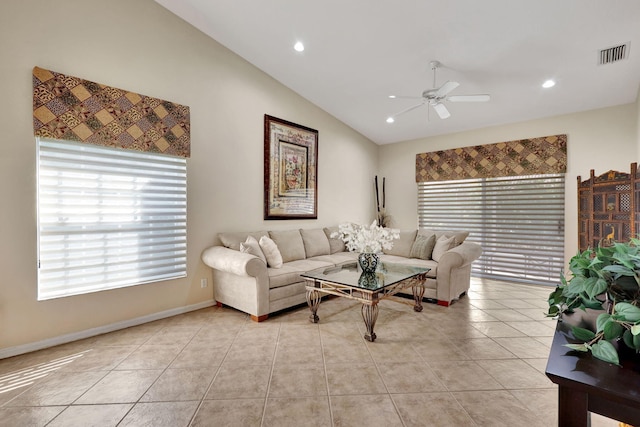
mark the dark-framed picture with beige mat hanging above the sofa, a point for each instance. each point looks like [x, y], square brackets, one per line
[290, 170]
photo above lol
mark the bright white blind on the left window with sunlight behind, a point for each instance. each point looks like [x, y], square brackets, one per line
[108, 218]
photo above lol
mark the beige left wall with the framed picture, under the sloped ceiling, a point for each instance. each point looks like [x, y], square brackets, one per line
[139, 46]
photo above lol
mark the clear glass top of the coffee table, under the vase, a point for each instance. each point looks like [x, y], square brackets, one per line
[387, 274]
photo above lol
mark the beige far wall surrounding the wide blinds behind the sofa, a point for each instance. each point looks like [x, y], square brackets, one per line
[602, 140]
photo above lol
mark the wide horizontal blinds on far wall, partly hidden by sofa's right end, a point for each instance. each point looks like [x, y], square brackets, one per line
[518, 221]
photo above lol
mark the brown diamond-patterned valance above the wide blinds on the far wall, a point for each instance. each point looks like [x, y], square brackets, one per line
[533, 156]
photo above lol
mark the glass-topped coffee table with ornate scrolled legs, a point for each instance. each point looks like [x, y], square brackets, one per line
[368, 288]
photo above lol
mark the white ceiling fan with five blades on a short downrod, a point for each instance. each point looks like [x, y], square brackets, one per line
[435, 97]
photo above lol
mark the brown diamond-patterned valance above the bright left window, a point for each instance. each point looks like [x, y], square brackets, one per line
[71, 108]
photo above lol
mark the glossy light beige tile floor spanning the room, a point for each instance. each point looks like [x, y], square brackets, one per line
[479, 362]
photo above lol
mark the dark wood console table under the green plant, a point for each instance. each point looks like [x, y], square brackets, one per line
[587, 384]
